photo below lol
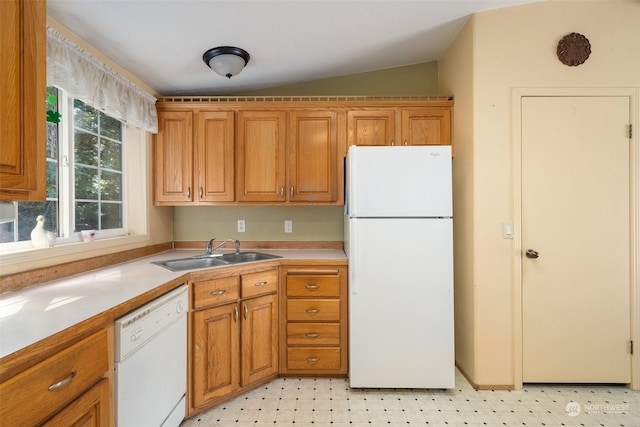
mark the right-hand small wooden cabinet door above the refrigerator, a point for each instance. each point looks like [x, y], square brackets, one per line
[426, 127]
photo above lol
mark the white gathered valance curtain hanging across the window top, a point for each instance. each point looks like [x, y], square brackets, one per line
[85, 77]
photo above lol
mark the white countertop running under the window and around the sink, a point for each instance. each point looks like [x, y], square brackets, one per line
[37, 312]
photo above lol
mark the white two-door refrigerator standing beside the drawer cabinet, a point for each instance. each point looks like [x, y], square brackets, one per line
[399, 241]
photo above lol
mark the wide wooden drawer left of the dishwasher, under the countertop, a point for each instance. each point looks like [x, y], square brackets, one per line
[37, 392]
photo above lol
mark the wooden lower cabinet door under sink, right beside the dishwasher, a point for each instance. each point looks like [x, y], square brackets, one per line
[216, 353]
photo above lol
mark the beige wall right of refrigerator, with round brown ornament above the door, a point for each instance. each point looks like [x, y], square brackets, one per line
[515, 48]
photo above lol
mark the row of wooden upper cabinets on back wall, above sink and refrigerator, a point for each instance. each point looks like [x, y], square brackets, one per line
[272, 153]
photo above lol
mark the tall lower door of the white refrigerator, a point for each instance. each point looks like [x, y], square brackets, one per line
[401, 303]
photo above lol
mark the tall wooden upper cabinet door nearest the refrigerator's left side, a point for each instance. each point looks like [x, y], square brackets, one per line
[313, 145]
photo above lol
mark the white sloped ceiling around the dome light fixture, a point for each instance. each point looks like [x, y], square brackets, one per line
[290, 41]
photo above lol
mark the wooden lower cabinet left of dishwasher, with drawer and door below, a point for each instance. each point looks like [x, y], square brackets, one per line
[72, 387]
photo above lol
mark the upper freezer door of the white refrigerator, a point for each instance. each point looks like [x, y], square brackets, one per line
[402, 181]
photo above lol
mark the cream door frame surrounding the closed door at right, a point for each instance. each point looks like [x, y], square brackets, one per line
[634, 200]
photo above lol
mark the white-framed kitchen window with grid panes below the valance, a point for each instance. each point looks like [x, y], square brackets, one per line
[86, 177]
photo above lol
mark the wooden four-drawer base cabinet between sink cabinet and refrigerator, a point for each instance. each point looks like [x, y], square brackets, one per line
[314, 325]
